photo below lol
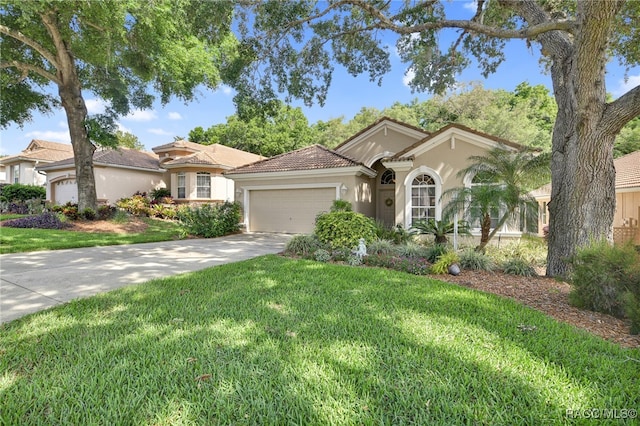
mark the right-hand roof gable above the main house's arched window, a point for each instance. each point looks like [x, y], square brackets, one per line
[450, 131]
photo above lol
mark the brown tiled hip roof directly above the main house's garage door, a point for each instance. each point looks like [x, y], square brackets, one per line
[309, 158]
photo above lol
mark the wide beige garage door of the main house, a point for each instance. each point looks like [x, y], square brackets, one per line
[288, 210]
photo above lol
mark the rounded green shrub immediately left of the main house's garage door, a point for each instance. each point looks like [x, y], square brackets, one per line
[210, 221]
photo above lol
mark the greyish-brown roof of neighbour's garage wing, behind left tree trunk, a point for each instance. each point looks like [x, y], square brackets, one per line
[121, 157]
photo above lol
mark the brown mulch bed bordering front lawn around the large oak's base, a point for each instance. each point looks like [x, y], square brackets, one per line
[549, 296]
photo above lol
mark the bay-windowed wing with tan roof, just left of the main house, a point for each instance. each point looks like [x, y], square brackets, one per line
[196, 171]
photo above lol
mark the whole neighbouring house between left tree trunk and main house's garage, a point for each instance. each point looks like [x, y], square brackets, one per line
[193, 172]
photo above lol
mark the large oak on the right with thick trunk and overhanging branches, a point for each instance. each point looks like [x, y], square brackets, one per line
[292, 47]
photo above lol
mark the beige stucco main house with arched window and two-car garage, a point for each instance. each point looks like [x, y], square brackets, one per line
[390, 171]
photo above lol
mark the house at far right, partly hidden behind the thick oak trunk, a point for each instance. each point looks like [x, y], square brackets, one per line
[627, 216]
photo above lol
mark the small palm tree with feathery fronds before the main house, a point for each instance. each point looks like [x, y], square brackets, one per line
[503, 181]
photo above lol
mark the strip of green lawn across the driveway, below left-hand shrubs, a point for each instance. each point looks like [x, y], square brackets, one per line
[16, 240]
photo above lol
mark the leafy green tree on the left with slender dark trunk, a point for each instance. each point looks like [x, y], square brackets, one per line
[122, 51]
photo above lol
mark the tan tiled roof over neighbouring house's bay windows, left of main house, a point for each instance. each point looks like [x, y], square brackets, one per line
[213, 155]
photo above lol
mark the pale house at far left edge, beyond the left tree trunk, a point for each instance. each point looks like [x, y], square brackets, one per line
[21, 168]
